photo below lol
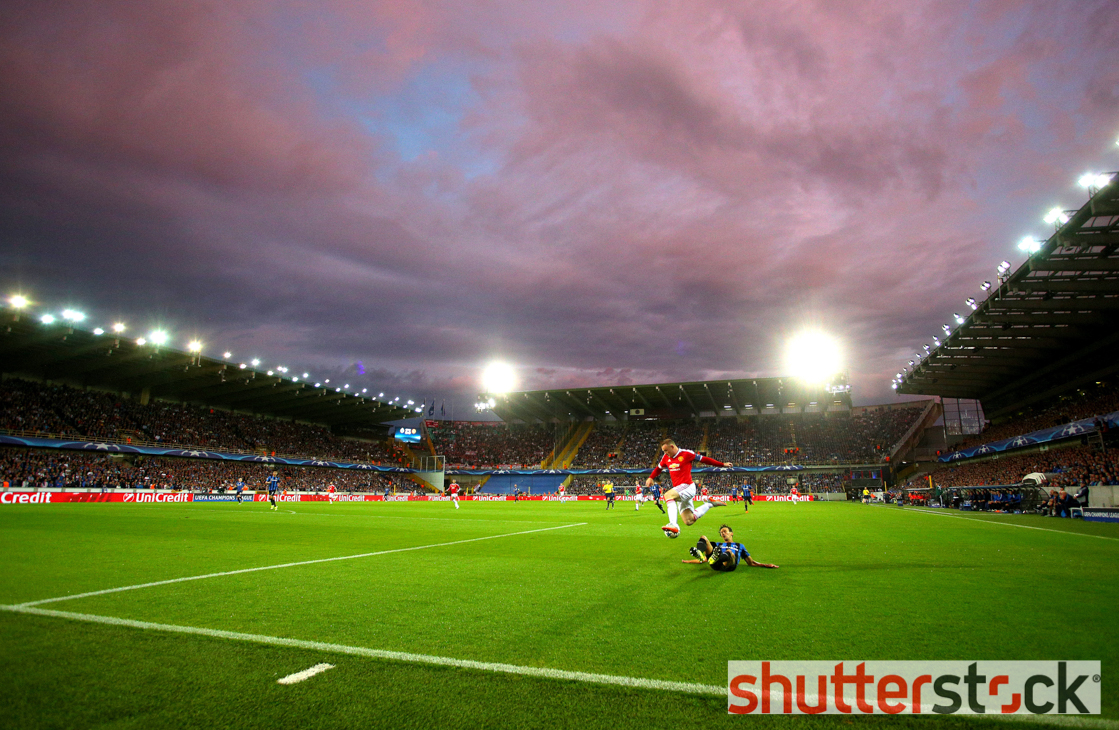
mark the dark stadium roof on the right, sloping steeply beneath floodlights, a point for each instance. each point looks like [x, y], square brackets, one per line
[1046, 329]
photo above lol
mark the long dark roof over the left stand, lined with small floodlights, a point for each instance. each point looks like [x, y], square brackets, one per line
[61, 353]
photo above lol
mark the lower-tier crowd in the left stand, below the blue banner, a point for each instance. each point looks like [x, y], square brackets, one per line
[32, 469]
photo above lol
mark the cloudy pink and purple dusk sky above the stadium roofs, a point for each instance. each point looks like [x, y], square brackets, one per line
[597, 193]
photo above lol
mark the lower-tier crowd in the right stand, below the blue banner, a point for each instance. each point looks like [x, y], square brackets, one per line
[1073, 467]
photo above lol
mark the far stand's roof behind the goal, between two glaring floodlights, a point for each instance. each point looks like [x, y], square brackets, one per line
[670, 400]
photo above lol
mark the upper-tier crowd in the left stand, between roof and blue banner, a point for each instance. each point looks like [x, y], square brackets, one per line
[60, 410]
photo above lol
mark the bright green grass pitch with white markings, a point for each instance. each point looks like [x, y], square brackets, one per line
[609, 596]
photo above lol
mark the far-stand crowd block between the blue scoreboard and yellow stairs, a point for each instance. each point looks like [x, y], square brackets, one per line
[493, 445]
